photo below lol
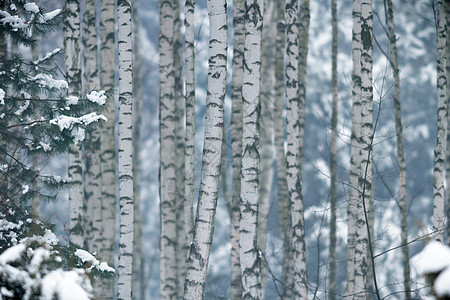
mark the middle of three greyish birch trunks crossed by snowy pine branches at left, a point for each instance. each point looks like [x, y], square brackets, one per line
[92, 173]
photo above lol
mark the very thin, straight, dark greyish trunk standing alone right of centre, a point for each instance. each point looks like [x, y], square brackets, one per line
[333, 153]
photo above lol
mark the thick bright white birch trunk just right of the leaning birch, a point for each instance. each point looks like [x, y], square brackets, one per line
[248, 233]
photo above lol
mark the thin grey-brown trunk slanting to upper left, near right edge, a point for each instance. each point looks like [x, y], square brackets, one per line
[400, 150]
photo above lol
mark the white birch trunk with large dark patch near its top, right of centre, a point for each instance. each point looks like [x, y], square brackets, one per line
[361, 260]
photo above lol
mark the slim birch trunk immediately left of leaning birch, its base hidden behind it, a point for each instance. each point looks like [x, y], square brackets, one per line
[189, 148]
